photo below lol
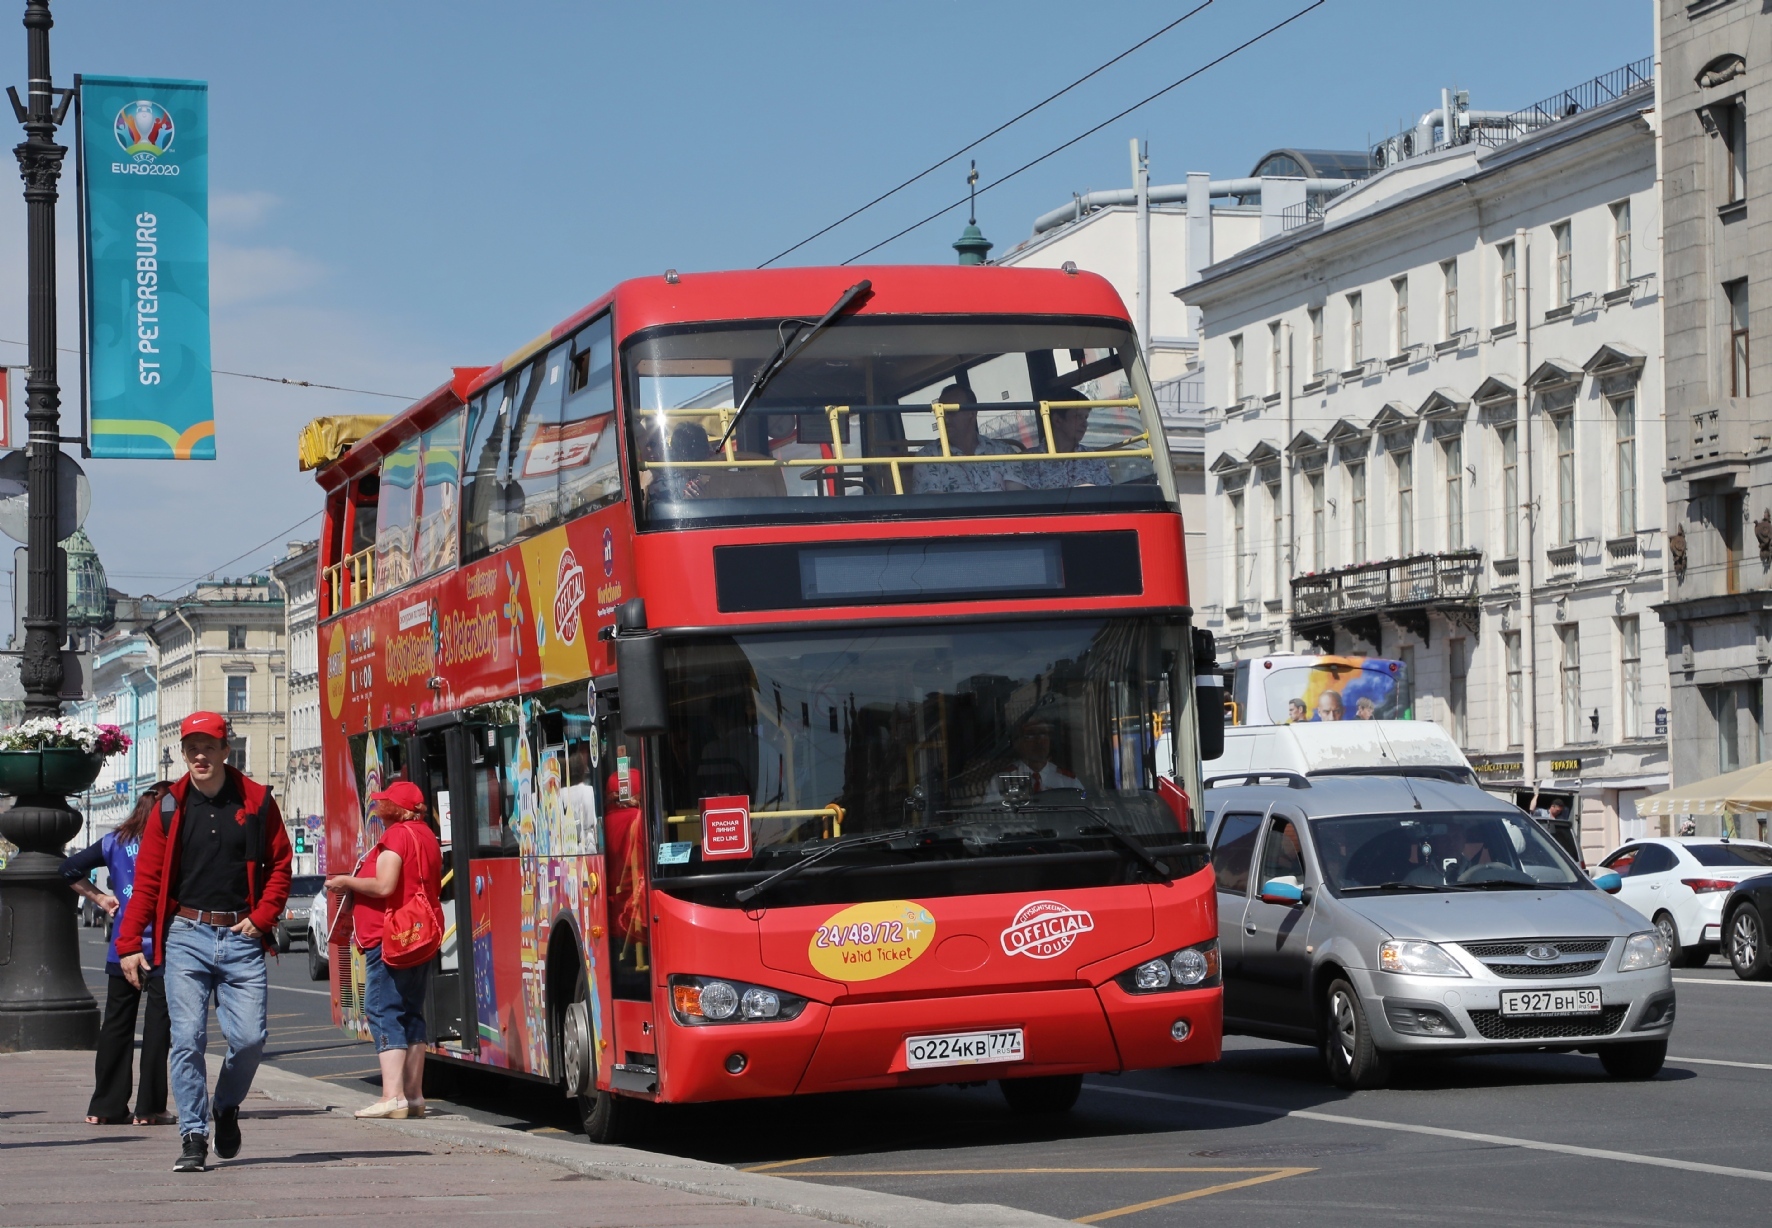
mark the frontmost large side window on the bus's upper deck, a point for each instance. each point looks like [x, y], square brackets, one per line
[540, 444]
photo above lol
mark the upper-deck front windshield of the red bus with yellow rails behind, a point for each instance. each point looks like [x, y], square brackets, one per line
[894, 417]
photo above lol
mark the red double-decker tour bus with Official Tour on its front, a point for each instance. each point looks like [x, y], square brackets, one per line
[802, 672]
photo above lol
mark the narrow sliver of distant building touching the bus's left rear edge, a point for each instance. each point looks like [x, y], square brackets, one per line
[304, 798]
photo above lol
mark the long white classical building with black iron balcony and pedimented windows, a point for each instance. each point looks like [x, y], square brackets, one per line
[1434, 424]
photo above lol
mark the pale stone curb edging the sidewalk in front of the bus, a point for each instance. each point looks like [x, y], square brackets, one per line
[835, 1204]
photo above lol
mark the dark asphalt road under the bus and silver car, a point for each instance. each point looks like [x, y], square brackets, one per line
[1261, 1139]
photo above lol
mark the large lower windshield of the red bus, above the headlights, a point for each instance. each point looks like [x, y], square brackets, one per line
[1009, 736]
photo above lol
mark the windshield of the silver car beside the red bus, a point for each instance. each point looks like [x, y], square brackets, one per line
[1447, 851]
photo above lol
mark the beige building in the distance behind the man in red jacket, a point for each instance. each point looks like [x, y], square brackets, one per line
[222, 649]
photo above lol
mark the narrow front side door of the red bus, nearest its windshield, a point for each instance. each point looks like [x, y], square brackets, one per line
[630, 935]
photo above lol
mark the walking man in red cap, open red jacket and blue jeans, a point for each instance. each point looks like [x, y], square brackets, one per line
[212, 876]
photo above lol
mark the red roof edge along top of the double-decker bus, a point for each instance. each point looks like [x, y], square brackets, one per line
[648, 302]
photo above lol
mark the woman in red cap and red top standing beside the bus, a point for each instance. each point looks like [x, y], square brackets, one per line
[408, 860]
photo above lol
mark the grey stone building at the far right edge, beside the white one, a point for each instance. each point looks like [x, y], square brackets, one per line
[1716, 89]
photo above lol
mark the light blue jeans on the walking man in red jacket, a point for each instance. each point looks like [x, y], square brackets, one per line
[203, 961]
